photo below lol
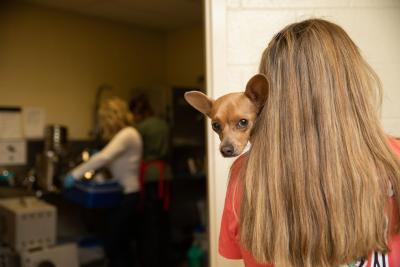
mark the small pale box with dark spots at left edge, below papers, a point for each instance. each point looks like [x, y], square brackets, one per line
[12, 152]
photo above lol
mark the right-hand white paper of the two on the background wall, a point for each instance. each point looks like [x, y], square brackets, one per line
[34, 120]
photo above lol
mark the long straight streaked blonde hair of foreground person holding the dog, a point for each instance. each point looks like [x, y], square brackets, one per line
[316, 181]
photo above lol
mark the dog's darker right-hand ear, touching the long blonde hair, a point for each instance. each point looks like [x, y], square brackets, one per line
[257, 90]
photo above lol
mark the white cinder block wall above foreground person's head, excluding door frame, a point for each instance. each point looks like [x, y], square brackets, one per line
[374, 25]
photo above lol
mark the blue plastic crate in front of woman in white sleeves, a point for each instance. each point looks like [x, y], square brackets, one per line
[91, 194]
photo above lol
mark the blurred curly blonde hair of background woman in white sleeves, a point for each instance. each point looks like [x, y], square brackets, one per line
[114, 115]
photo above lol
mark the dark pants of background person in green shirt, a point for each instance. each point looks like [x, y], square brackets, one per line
[155, 229]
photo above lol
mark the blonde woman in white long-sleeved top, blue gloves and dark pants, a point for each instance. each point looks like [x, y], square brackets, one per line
[122, 155]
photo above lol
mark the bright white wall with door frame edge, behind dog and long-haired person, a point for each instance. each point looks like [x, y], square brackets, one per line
[239, 30]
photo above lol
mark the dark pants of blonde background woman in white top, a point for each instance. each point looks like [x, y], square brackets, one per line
[121, 231]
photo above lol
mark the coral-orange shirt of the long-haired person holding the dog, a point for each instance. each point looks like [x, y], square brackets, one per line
[229, 246]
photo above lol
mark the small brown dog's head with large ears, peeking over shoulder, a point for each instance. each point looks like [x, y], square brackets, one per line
[233, 115]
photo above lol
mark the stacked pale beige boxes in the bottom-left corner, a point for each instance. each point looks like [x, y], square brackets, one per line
[28, 232]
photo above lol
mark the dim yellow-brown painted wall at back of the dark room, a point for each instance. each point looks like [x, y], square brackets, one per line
[56, 60]
